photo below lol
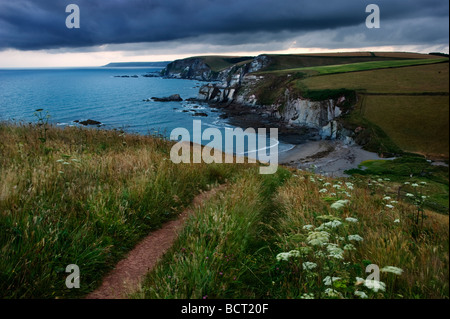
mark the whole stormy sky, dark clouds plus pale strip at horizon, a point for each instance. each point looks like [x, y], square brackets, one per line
[154, 29]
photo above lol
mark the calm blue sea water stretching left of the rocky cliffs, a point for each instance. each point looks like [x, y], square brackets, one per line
[98, 94]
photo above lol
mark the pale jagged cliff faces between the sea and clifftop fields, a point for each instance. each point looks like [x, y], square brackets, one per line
[243, 85]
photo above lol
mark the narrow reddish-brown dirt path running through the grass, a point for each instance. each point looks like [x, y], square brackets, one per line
[128, 273]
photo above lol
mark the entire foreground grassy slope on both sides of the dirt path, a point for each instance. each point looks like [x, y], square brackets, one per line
[87, 196]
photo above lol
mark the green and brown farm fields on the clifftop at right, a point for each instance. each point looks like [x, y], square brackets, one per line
[402, 109]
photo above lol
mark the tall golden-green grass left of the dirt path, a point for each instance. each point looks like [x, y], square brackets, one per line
[84, 197]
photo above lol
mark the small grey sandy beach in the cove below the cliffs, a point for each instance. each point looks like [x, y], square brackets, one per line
[330, 158]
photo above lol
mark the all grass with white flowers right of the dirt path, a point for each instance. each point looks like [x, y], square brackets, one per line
[222, 253]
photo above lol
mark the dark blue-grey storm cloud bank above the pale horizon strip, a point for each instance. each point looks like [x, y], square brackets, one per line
[40, 24]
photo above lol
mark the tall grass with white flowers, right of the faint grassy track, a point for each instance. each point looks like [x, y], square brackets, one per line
[389, 236]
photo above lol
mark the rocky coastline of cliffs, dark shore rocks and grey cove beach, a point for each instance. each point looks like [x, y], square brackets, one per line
[314, 126]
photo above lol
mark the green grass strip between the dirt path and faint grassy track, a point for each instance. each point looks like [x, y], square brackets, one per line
[208, 258]
